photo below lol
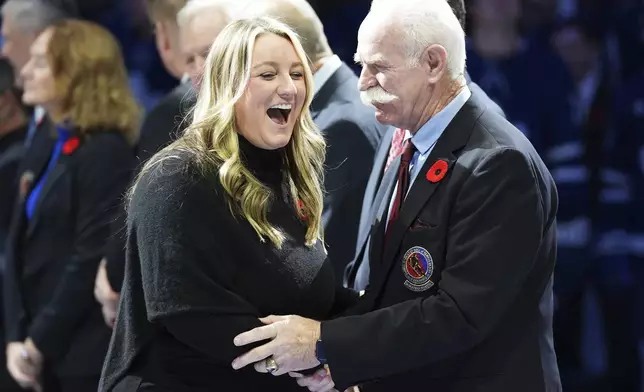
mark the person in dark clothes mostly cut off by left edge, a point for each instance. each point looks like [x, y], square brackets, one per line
[13, 128]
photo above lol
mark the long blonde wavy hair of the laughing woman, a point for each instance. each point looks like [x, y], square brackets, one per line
[212, 138]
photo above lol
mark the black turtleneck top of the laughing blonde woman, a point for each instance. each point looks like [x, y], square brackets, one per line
[197, 275]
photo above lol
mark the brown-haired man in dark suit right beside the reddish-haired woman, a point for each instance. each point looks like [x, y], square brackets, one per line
[159, 128]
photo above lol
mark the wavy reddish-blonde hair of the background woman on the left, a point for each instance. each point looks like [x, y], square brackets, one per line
[91, 80]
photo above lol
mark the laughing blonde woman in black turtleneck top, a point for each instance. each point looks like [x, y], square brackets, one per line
[224, 224]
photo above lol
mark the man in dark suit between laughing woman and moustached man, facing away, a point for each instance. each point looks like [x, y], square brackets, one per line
[349, 127]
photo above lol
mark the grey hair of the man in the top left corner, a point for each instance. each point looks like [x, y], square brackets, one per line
[31, 16]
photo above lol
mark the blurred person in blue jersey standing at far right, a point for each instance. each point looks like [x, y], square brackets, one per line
[594, 201]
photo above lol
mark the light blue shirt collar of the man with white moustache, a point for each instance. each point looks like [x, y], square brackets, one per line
[429, 133]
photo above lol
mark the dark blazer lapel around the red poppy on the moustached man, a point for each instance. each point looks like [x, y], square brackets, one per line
[453, 139]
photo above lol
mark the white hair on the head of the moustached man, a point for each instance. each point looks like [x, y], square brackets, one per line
[424, 23]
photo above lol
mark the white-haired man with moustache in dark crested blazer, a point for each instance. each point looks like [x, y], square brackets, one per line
[463, 242]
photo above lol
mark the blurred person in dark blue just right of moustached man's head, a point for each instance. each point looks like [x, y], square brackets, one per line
[527, 80]
